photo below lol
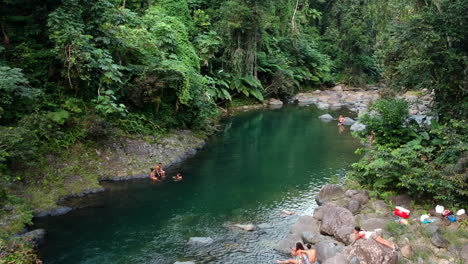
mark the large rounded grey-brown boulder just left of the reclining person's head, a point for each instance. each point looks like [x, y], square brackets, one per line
[338, 222]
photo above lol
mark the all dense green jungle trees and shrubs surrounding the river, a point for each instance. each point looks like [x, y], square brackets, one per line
[76, 71]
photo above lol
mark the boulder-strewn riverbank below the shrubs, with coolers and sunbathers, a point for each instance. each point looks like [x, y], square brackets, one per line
[330, 230]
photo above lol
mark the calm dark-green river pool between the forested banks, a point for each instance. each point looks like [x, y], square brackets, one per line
[259, 164]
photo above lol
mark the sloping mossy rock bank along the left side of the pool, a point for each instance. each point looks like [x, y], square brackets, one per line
[79, 170]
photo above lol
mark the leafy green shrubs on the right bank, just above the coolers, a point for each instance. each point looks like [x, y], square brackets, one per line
[429, 162]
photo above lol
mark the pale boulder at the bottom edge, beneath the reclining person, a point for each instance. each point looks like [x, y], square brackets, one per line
[369, 251]
